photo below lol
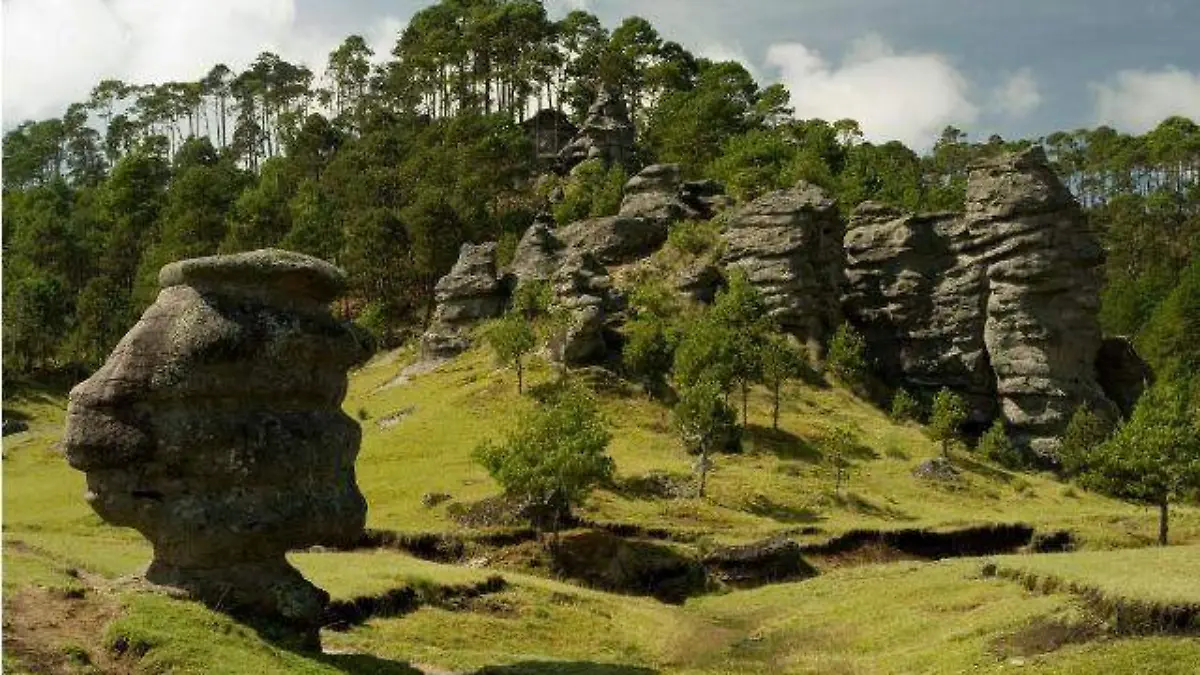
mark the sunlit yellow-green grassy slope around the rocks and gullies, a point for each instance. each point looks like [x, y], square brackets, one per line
[901, 618]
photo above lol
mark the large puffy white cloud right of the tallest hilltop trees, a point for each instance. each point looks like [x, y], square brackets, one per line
[910, 98]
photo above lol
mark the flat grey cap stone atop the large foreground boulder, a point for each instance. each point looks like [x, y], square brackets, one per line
[268, 270]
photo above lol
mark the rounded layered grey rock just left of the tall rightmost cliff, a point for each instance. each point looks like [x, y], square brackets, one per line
[789, 243]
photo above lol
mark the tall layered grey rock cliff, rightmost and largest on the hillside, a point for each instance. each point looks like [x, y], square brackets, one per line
[999, 303]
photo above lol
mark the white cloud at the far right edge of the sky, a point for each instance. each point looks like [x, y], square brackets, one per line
[1138, 100]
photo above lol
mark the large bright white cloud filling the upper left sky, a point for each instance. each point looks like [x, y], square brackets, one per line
[56, 51]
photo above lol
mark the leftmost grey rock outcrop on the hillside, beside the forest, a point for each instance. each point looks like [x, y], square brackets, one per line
[472, 292]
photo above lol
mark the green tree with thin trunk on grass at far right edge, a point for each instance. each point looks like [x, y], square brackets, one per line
[1155, 457]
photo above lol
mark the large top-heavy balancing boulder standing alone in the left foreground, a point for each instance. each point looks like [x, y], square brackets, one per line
[215, 429]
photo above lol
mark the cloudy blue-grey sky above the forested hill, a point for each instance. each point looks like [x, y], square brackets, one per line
[904, 69]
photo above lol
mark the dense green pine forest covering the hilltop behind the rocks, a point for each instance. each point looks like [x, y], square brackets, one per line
[388, 166]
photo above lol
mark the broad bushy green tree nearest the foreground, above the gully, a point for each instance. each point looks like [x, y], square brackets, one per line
[554, 459]
